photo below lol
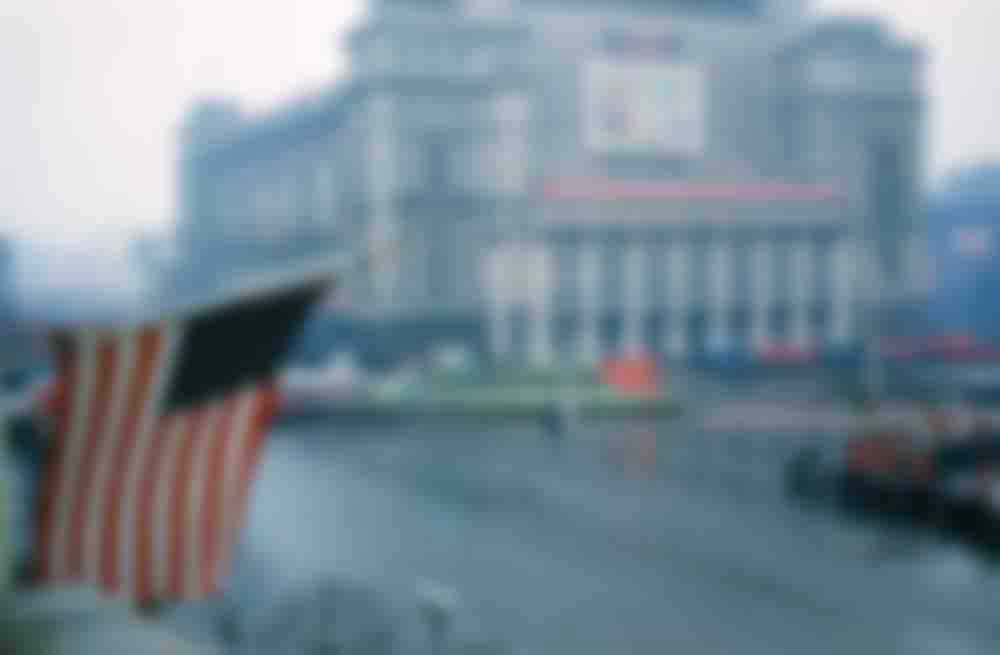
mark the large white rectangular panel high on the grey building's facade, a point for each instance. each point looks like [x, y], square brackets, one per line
[643, 106]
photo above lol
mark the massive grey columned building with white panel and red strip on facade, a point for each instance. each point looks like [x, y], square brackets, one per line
[573, 177]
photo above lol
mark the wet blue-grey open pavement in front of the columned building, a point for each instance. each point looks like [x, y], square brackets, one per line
[630, 539]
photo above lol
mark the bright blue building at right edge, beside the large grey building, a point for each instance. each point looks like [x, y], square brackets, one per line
[964, 233]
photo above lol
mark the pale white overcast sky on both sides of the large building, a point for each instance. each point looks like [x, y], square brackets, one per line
[93, 91]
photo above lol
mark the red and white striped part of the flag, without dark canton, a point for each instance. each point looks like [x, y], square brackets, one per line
[143, 503]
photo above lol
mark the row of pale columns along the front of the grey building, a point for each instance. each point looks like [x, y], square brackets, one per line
[528, 284]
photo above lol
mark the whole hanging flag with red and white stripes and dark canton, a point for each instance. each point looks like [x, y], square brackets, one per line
[156, 434]
